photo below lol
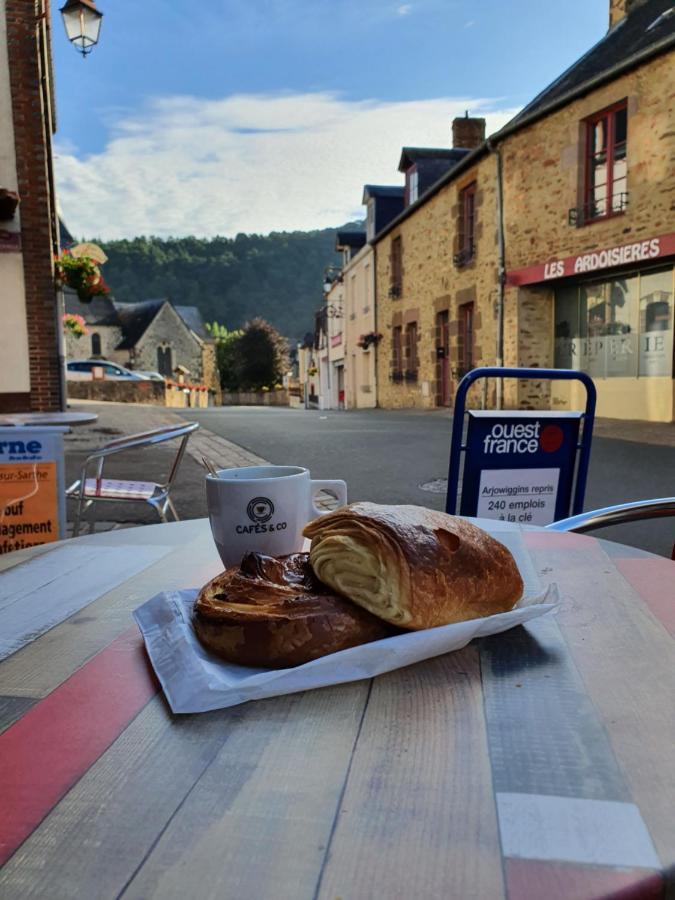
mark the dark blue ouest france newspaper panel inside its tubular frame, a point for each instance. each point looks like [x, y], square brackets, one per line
[519, 466]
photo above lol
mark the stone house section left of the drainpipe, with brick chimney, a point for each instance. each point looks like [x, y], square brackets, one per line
[432, 290]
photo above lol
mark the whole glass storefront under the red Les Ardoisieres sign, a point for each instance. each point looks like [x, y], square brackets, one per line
[621, 327]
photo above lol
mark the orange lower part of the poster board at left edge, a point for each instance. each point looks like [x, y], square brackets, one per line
[29, 507]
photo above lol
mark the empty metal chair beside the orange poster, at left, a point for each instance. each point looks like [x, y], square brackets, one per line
[97, 489]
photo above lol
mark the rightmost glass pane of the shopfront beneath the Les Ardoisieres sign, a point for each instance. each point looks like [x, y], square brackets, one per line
[656, 323]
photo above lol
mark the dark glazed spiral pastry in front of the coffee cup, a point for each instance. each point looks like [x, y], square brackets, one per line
[273, 613]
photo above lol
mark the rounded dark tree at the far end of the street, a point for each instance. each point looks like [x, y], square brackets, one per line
[261, 356]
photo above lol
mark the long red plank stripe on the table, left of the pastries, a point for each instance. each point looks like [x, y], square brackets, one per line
[49, 749]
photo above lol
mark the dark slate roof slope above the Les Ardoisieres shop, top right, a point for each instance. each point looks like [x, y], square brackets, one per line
[645, 28]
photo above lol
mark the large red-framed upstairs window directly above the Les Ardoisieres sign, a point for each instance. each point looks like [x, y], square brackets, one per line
[606, 163]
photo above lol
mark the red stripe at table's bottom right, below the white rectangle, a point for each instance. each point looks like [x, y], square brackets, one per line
[528, 879]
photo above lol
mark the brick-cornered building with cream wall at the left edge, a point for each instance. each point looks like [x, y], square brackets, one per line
[30, 338]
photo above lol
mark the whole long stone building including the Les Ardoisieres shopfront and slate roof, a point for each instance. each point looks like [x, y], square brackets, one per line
[552, 243]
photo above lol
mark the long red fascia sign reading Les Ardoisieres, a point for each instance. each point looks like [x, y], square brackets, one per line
[597, 260]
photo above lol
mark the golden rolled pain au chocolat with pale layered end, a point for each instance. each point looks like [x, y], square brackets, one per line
[414, 567]
